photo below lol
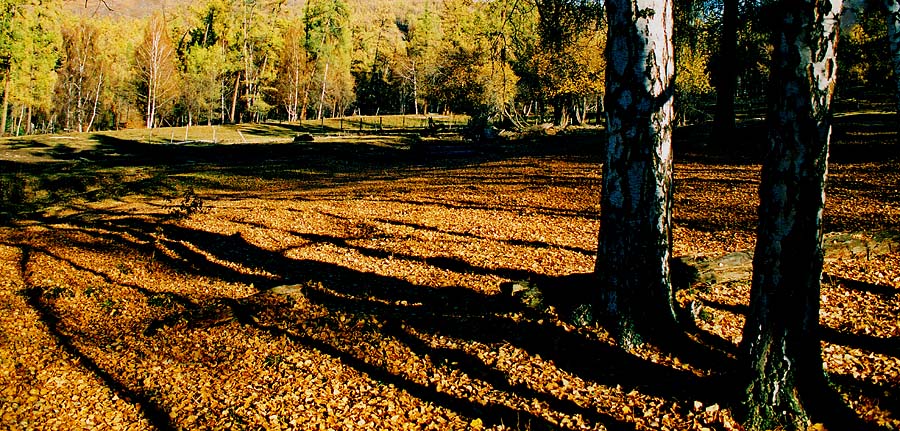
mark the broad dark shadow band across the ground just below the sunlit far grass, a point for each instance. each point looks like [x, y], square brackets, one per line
[98, 172]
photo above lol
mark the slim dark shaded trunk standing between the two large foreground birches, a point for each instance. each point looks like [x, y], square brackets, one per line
[726, 79]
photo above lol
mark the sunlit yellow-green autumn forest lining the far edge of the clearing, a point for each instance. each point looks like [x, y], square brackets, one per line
[82, 66]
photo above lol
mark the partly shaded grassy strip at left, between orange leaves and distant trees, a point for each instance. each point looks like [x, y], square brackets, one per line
[44, 171]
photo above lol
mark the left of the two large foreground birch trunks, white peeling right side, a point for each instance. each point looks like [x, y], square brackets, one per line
[636, 204]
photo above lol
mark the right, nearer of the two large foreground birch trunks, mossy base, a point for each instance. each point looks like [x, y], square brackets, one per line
[781, 343]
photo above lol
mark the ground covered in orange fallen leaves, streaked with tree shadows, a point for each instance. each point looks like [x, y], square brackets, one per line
[358, 283]
